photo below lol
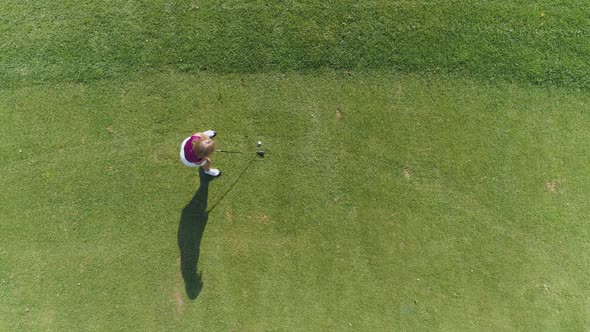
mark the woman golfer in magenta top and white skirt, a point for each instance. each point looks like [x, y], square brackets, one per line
[196, 151]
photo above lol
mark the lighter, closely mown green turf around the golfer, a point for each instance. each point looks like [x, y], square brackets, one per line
[384, 202]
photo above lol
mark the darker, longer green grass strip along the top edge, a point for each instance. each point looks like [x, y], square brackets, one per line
[543, 42]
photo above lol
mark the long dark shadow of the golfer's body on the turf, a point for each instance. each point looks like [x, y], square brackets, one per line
[193, 220]
